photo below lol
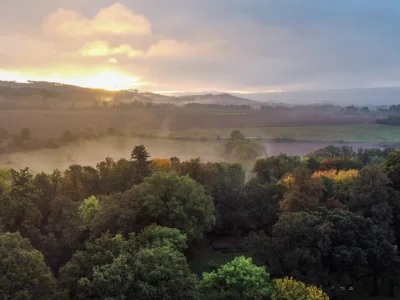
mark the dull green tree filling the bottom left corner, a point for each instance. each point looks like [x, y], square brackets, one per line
[24, 274]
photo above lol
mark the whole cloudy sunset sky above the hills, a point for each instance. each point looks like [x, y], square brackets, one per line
[168, 46]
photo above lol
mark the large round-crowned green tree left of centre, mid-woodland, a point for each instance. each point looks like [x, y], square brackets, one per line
[168, 200]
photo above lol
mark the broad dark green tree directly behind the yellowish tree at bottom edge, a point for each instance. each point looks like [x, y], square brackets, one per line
[300, 242]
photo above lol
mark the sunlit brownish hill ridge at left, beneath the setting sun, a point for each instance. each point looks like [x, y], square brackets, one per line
[50, 94]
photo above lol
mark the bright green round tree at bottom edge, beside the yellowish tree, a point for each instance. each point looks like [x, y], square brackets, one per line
[238, 280]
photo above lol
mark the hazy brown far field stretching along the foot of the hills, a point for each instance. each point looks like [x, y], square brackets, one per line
[52, 123]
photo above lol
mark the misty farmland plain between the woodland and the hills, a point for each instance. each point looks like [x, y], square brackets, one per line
[310, 129]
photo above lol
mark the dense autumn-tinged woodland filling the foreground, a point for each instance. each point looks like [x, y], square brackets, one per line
[311, 227]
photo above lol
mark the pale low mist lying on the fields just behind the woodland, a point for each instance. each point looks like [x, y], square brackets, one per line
[92, 152]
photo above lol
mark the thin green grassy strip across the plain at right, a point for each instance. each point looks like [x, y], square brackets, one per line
[363, 133]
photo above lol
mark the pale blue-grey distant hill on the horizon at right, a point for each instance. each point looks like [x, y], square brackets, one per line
[357, 97]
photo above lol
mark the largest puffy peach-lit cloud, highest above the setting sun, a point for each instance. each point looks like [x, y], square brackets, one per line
[116, 19]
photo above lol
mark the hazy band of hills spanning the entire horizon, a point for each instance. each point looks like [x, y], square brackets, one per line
[61, 94]
